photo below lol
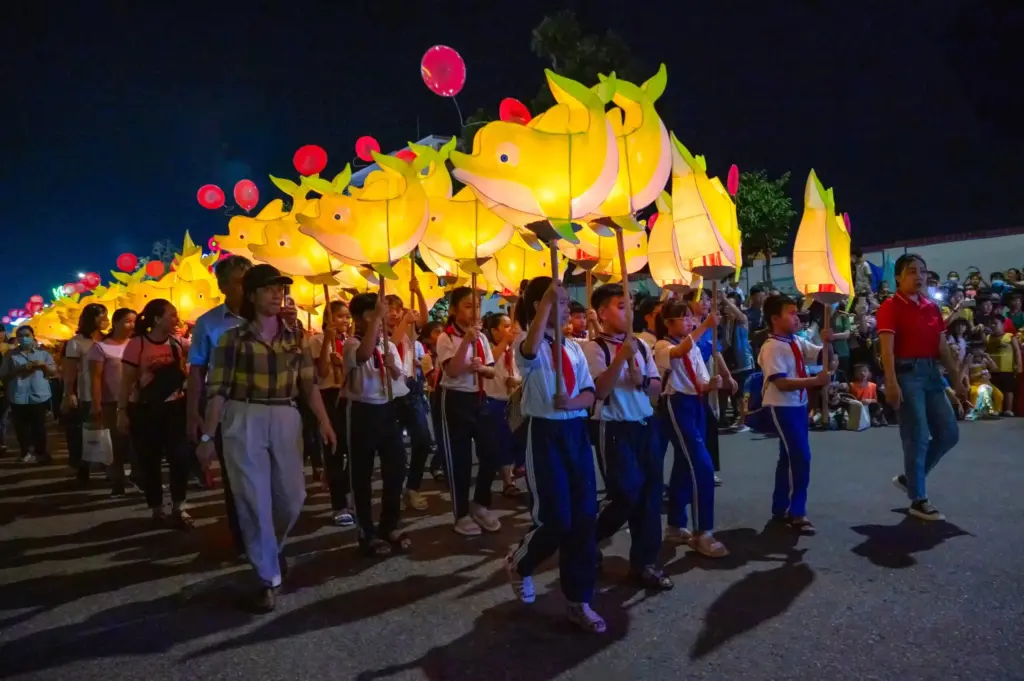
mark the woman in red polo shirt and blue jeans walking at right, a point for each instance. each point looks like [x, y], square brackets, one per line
[913, 338]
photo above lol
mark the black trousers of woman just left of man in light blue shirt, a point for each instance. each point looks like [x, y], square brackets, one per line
[158, 433]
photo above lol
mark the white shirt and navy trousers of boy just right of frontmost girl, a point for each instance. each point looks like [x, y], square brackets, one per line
[630, 452]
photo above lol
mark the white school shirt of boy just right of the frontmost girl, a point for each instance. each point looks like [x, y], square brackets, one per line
[626, 402]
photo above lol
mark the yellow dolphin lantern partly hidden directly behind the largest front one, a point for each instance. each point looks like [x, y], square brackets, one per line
[645, 151]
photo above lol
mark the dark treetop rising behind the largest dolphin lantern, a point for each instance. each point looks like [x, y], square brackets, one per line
[560, 40]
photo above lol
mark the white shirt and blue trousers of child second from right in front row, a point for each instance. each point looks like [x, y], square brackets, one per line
[693, 480]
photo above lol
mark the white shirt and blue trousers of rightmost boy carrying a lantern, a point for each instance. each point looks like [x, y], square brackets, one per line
[788, 357]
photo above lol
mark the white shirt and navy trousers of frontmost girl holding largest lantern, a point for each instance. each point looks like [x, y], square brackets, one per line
[560, 472]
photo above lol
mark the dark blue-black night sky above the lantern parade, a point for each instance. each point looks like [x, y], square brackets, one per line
[114, 120]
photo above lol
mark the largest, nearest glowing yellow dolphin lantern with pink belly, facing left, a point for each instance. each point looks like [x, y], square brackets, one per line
[560, 167]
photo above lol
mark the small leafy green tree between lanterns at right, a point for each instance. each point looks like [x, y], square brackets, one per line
[765, 214]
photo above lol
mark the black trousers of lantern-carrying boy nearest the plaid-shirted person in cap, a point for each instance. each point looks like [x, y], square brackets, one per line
[373, 432]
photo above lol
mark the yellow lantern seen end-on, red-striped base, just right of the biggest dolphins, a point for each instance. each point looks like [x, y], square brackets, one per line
[705, 218]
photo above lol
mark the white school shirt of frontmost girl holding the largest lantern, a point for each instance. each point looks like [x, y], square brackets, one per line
[539, 380]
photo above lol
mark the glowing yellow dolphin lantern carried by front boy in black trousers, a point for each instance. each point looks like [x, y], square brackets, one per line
[382, 224]
